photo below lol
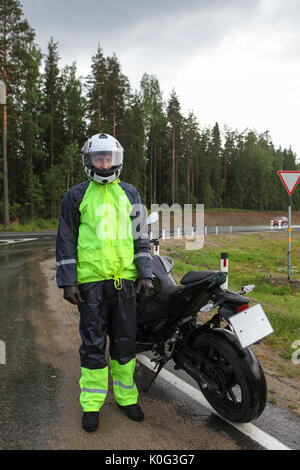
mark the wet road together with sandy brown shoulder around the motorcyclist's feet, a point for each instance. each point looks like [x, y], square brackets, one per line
[39, 382]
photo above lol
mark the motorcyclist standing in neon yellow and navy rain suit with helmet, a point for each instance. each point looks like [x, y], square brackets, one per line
[100, 254]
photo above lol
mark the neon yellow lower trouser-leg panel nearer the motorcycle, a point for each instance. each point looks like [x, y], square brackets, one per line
[125, 390]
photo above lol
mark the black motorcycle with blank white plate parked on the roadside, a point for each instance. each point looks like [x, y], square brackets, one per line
[216, 353]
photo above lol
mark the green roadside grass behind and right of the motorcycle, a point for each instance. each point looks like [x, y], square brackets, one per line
[259, 259]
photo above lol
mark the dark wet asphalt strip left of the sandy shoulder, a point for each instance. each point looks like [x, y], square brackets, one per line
[27, 387]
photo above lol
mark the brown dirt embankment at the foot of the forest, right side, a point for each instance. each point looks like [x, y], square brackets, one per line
[227, 218]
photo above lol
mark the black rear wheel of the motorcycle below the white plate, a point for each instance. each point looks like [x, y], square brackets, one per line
[240, 391]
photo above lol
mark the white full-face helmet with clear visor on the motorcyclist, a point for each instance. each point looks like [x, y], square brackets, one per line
[102, 158]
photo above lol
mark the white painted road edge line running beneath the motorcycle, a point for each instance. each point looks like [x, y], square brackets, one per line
[256, 434]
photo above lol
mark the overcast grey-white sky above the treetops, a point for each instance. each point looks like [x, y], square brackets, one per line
[232, 61]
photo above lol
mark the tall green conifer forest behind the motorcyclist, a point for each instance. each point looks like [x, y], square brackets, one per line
[170, 157]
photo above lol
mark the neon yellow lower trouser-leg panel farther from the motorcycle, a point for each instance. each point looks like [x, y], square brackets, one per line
[94, 386]
